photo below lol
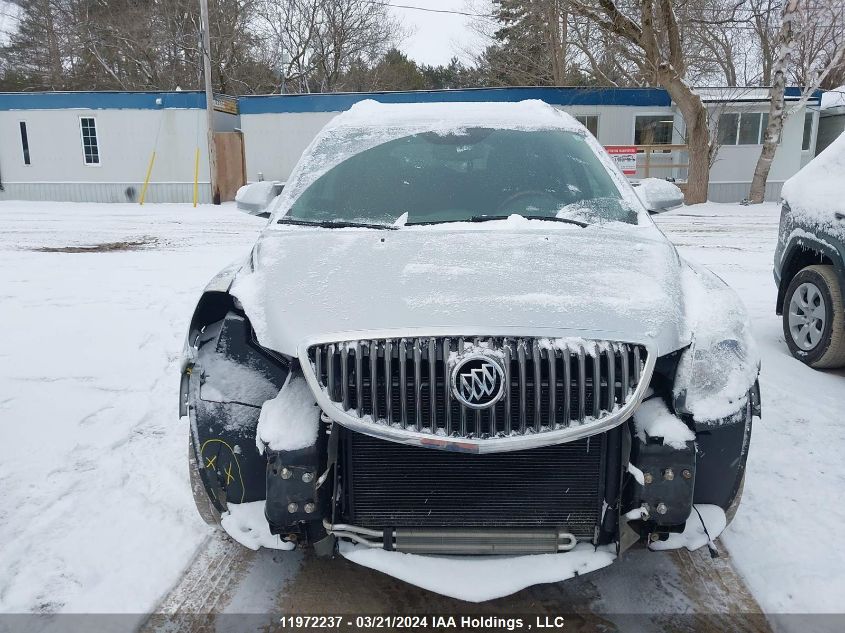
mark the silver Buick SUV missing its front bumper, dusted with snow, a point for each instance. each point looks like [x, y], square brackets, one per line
[462, 333]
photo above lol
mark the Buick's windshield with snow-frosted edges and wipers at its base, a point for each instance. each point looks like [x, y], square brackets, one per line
[476, 174]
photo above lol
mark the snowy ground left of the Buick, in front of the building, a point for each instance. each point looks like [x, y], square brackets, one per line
[96, 513]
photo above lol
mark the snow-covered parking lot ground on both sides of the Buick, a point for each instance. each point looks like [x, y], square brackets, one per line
[97, 513]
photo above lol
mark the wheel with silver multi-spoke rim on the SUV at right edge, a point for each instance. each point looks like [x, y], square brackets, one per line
[814, 318]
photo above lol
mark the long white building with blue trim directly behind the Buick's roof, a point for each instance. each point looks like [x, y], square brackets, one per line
[279, 127]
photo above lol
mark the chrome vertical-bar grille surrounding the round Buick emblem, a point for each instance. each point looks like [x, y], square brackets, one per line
[550, 383]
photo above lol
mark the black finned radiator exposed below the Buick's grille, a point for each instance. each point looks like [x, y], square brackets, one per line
[391, 485]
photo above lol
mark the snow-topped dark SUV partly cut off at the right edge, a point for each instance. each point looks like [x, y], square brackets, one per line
[810, 260]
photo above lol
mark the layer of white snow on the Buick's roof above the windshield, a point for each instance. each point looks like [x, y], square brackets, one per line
[452, 116]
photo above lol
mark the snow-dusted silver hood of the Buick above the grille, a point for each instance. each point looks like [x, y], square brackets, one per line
[601, 281]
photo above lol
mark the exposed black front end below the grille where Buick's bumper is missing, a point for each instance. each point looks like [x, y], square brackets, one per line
[311, 496]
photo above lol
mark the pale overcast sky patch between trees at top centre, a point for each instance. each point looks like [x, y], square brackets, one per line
[437, 37]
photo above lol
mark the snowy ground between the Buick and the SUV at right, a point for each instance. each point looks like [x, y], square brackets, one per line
[784, 539]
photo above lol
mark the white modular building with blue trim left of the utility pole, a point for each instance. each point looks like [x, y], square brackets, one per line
[97, 146]
